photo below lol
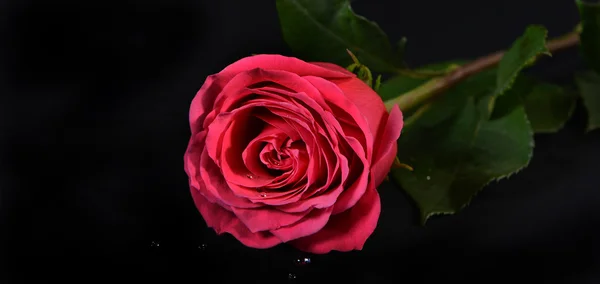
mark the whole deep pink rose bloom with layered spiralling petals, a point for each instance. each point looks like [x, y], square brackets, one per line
[285, 151]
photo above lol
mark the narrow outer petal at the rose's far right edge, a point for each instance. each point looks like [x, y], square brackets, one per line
[387, 146]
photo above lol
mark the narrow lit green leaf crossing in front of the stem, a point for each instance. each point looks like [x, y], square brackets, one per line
[521, 54]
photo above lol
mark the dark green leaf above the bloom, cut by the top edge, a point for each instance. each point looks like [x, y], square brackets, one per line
[322, 30]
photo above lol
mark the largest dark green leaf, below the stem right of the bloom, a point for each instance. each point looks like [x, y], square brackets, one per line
[456, 149]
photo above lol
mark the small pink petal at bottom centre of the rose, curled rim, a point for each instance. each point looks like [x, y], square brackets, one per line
[310, 224]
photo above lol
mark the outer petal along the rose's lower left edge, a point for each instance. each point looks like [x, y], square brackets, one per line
[224, 221]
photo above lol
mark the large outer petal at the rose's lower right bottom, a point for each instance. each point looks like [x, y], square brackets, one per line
[345, 231]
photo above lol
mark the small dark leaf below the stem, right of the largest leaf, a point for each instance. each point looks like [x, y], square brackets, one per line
[548, 106]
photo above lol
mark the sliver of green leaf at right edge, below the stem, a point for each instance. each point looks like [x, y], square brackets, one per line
[589, 86]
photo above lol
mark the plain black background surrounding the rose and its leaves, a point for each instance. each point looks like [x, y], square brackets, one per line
[94, 105]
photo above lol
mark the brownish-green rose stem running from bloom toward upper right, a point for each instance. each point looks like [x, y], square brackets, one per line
[437, 85]
